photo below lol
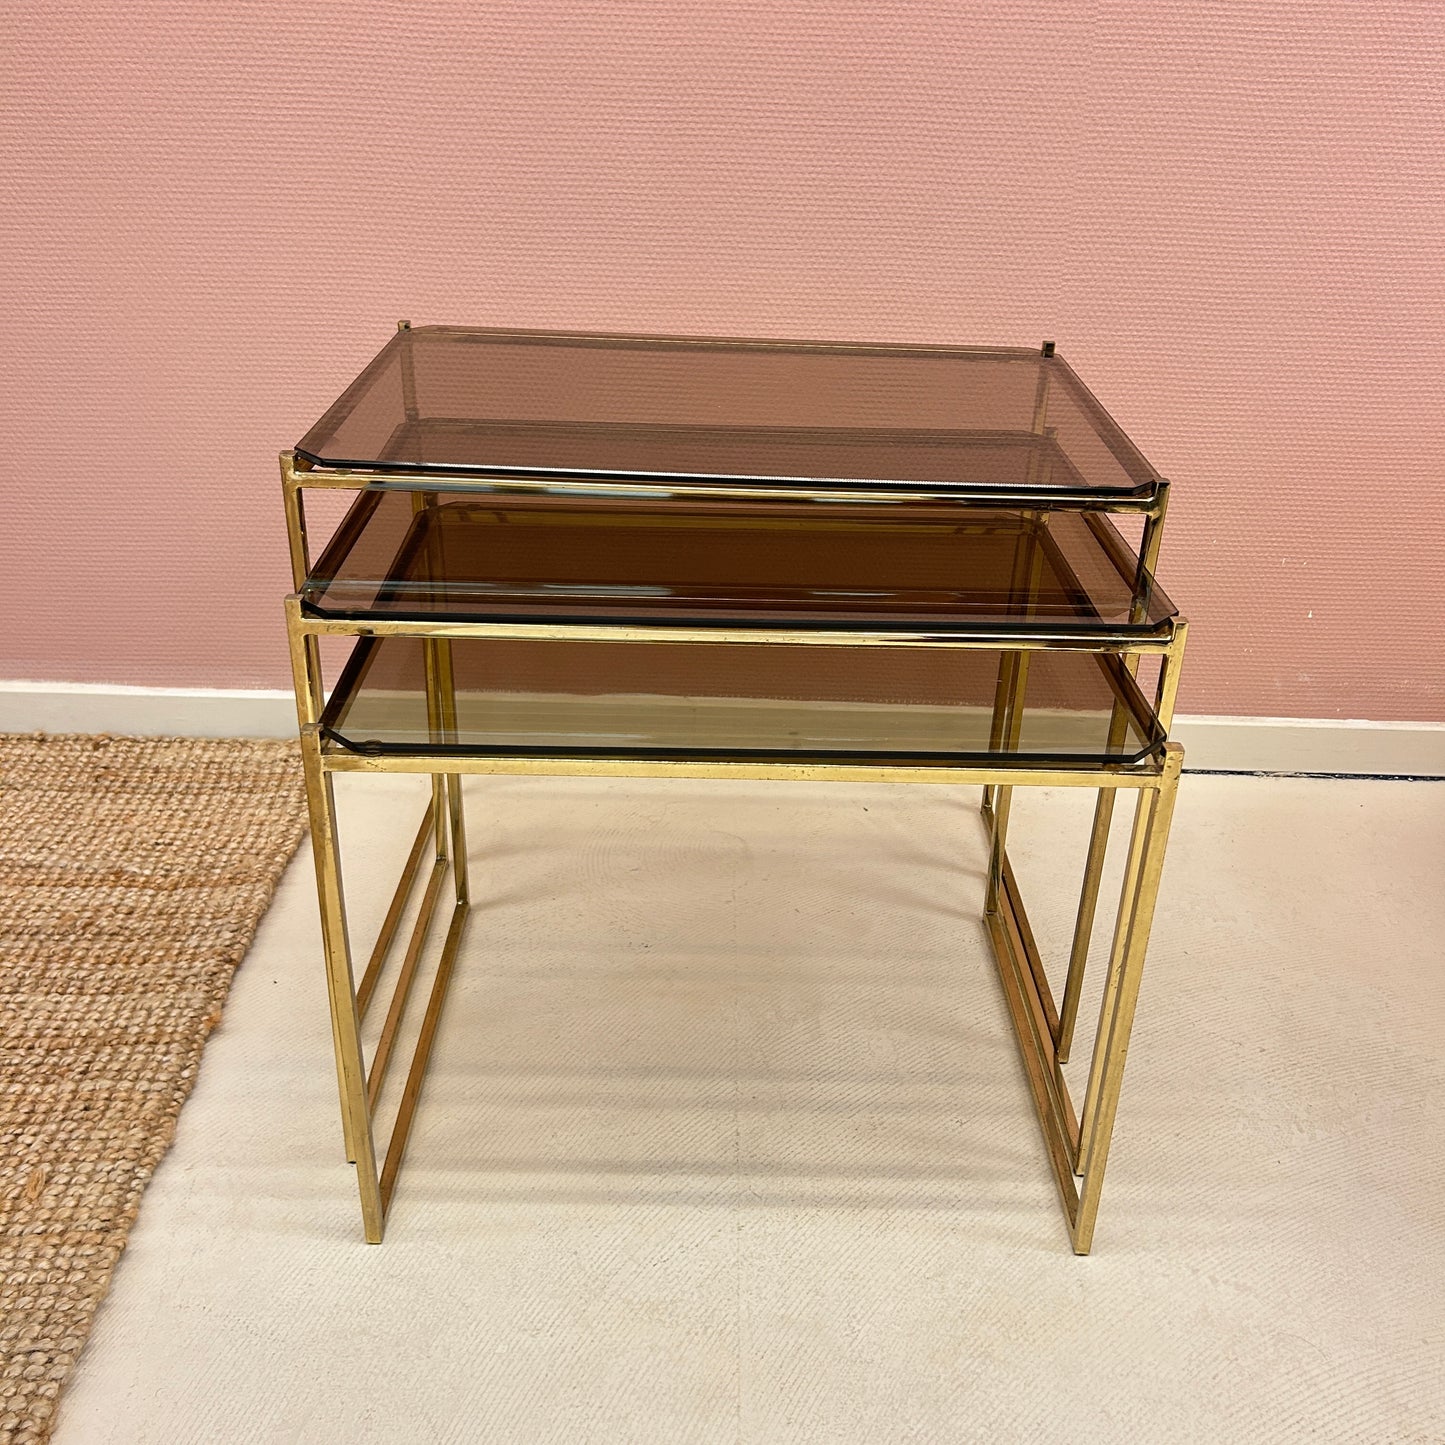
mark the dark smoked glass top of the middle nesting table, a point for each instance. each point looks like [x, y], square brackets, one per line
[733, 564]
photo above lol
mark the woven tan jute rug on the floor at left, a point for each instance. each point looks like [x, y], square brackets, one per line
[134, 874]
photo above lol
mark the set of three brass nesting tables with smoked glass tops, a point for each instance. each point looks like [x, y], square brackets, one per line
[677, 557]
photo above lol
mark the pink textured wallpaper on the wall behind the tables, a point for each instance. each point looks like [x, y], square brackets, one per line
[1229, 215]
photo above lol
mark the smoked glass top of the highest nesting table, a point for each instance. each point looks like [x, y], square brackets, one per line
[446, 402]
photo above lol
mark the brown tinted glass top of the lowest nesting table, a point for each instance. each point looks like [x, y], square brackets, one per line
[738, 700]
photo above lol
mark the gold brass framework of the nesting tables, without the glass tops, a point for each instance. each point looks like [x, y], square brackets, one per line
[1077, 1142]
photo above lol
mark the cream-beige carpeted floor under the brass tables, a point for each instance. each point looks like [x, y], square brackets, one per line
[728, 1142]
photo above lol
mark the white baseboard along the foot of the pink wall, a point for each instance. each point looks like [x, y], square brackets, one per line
[1212, 743]
